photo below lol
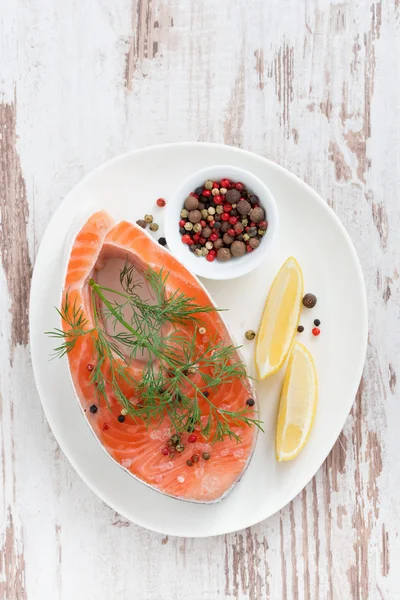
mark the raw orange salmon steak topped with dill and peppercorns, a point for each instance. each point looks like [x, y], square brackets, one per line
[153, 365]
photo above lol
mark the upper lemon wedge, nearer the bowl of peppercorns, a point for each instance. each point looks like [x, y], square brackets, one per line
[280, 319]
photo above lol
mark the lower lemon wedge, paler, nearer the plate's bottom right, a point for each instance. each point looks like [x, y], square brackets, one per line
[297, 405]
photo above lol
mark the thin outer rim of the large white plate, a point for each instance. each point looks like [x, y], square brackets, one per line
[363, 309]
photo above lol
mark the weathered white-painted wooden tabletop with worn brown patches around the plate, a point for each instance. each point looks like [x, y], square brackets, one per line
[311, 84]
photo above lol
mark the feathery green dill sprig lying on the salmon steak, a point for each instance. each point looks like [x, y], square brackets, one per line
[160, 328]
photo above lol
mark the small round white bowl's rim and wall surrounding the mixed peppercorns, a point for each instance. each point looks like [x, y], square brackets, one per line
[236, 267]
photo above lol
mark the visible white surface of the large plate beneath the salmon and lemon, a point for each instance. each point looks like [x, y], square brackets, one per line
[128, 187]
